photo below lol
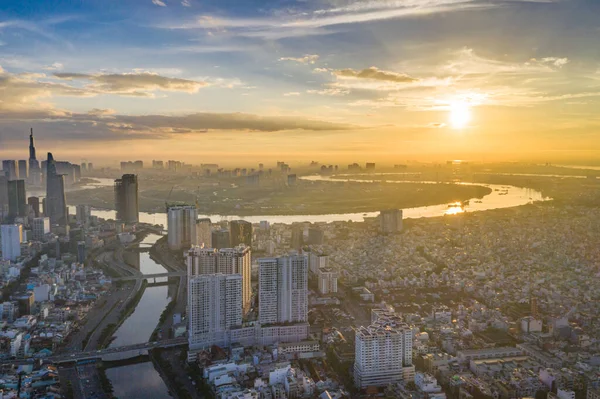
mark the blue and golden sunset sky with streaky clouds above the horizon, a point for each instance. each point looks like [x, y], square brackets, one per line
[333, 81]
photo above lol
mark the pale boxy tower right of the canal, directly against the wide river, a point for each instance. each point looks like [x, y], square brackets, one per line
[181, 226]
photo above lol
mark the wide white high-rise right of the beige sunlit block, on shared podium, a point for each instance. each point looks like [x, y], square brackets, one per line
[283, 289]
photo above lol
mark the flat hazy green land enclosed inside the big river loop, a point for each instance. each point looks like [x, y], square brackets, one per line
[303, 198]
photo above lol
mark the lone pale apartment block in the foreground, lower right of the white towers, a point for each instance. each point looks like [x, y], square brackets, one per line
[383, 350]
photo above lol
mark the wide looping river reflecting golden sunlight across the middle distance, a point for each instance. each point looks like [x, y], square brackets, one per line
[502, 196]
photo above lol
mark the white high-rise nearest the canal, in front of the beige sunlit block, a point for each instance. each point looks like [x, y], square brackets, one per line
[214, 307]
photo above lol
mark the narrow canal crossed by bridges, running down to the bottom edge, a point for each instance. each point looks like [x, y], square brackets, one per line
[137, 328]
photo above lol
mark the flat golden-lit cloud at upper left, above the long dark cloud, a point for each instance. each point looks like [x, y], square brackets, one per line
[134, 84]
